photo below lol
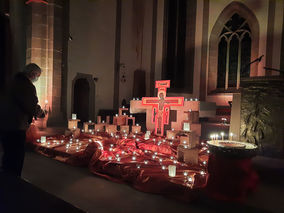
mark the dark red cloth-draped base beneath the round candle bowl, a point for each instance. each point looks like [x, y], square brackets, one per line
[231, 179]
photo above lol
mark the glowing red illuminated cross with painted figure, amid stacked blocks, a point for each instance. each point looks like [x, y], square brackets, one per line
[161, 106]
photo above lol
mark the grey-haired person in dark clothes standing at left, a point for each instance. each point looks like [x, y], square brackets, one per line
[19, 106]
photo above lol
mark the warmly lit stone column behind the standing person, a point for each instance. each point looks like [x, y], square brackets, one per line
[44, 47]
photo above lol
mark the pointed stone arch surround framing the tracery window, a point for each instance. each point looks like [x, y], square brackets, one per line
[245, 12]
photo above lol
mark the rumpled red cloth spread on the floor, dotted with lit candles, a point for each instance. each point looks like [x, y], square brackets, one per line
[150, 177]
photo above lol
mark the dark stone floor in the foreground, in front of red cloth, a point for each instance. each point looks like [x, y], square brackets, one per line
[94, 194]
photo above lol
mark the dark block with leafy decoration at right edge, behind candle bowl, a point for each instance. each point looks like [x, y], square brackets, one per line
[262, 123]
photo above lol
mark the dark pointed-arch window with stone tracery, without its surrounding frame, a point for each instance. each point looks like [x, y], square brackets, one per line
[234, 53]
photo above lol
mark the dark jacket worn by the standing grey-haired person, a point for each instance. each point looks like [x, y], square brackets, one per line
[20, 104]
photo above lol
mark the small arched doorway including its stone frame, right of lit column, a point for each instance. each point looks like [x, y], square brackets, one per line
[83, 96]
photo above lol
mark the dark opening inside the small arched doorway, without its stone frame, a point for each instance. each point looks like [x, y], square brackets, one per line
[81, 99]
